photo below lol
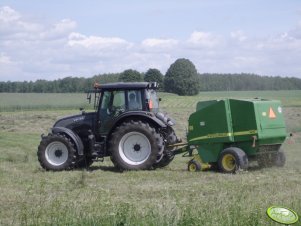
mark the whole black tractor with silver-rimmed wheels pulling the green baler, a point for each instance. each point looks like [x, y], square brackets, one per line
[126, 125]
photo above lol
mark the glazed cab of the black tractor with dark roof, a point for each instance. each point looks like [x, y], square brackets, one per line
[115, 101]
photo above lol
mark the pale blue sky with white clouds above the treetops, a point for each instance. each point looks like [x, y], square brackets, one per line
[55, 39]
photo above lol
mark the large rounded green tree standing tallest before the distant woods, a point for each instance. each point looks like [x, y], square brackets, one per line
[181, 78]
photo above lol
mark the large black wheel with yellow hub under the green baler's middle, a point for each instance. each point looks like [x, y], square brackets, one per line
[229, 155]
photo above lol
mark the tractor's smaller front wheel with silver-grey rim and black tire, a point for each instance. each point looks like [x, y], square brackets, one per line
[52, 148]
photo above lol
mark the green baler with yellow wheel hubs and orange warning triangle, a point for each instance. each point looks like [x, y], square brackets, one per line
[228, 133]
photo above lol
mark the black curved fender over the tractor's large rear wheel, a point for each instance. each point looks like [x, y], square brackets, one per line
[139, 115]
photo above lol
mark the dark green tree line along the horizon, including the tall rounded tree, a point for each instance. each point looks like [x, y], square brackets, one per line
[181, 78]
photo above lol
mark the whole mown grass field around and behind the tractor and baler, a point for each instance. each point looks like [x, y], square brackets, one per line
[102, 196]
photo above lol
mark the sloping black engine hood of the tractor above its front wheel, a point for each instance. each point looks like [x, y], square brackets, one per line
[76, 121]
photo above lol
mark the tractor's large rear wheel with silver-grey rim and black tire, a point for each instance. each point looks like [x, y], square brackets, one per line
[135, 145]
